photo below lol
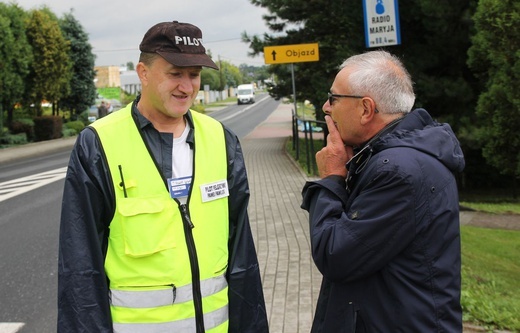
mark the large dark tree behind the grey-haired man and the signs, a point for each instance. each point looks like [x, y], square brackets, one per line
[435, 38]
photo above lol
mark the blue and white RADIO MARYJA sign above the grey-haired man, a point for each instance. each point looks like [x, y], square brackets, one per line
[381, 23]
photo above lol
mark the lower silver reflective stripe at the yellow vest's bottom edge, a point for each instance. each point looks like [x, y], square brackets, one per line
[211, 320]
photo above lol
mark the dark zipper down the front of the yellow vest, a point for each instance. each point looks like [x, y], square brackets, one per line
[195, 273]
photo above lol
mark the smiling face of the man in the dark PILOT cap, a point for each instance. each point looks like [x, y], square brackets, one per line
[167, 91]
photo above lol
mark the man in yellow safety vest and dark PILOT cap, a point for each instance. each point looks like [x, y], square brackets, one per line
[155, 235]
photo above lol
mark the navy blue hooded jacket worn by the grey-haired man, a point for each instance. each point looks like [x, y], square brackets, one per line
[388, 245]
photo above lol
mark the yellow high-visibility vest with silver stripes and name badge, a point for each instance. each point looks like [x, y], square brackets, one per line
[148, 259]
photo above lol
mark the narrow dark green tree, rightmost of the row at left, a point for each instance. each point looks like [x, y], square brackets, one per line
[82, 92]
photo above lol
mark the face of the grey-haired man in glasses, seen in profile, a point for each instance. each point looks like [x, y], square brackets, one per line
[346, 112]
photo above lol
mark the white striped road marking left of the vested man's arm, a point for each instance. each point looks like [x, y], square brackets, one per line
[22, 185]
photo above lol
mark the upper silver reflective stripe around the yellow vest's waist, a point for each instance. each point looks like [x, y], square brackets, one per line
[174, 295]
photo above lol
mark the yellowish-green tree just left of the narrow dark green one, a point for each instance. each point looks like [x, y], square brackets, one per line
[51, 68]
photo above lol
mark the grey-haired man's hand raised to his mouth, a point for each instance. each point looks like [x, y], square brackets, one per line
[332, 158]
